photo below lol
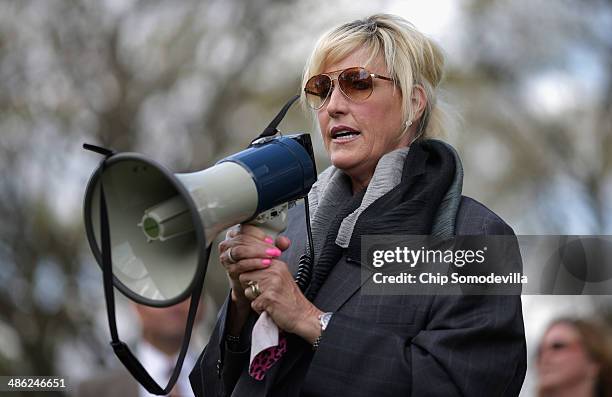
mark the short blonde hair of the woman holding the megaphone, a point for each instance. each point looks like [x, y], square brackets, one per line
[411, 59]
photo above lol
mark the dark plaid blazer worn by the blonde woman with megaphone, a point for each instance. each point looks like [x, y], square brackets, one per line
[411, 345]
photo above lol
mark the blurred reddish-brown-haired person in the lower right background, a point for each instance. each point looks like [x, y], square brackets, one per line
[575, 360]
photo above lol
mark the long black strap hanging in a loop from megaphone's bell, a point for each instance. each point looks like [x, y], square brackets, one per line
[122, 351]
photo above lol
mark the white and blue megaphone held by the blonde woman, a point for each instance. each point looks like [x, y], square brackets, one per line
[161, 223]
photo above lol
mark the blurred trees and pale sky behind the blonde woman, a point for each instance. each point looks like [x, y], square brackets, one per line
[188, 82]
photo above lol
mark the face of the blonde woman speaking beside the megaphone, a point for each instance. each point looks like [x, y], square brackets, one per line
[376, 123]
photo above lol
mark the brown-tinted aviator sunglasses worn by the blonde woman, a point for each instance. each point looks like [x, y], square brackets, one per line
[355, 83]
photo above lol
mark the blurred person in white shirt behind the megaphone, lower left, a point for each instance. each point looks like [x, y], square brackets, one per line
[162, 335]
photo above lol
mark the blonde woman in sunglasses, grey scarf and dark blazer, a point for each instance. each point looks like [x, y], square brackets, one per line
[372, 86]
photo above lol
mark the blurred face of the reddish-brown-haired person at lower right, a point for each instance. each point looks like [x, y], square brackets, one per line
[563, 360]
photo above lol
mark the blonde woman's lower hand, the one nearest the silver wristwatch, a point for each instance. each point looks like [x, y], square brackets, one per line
[282, 299]
